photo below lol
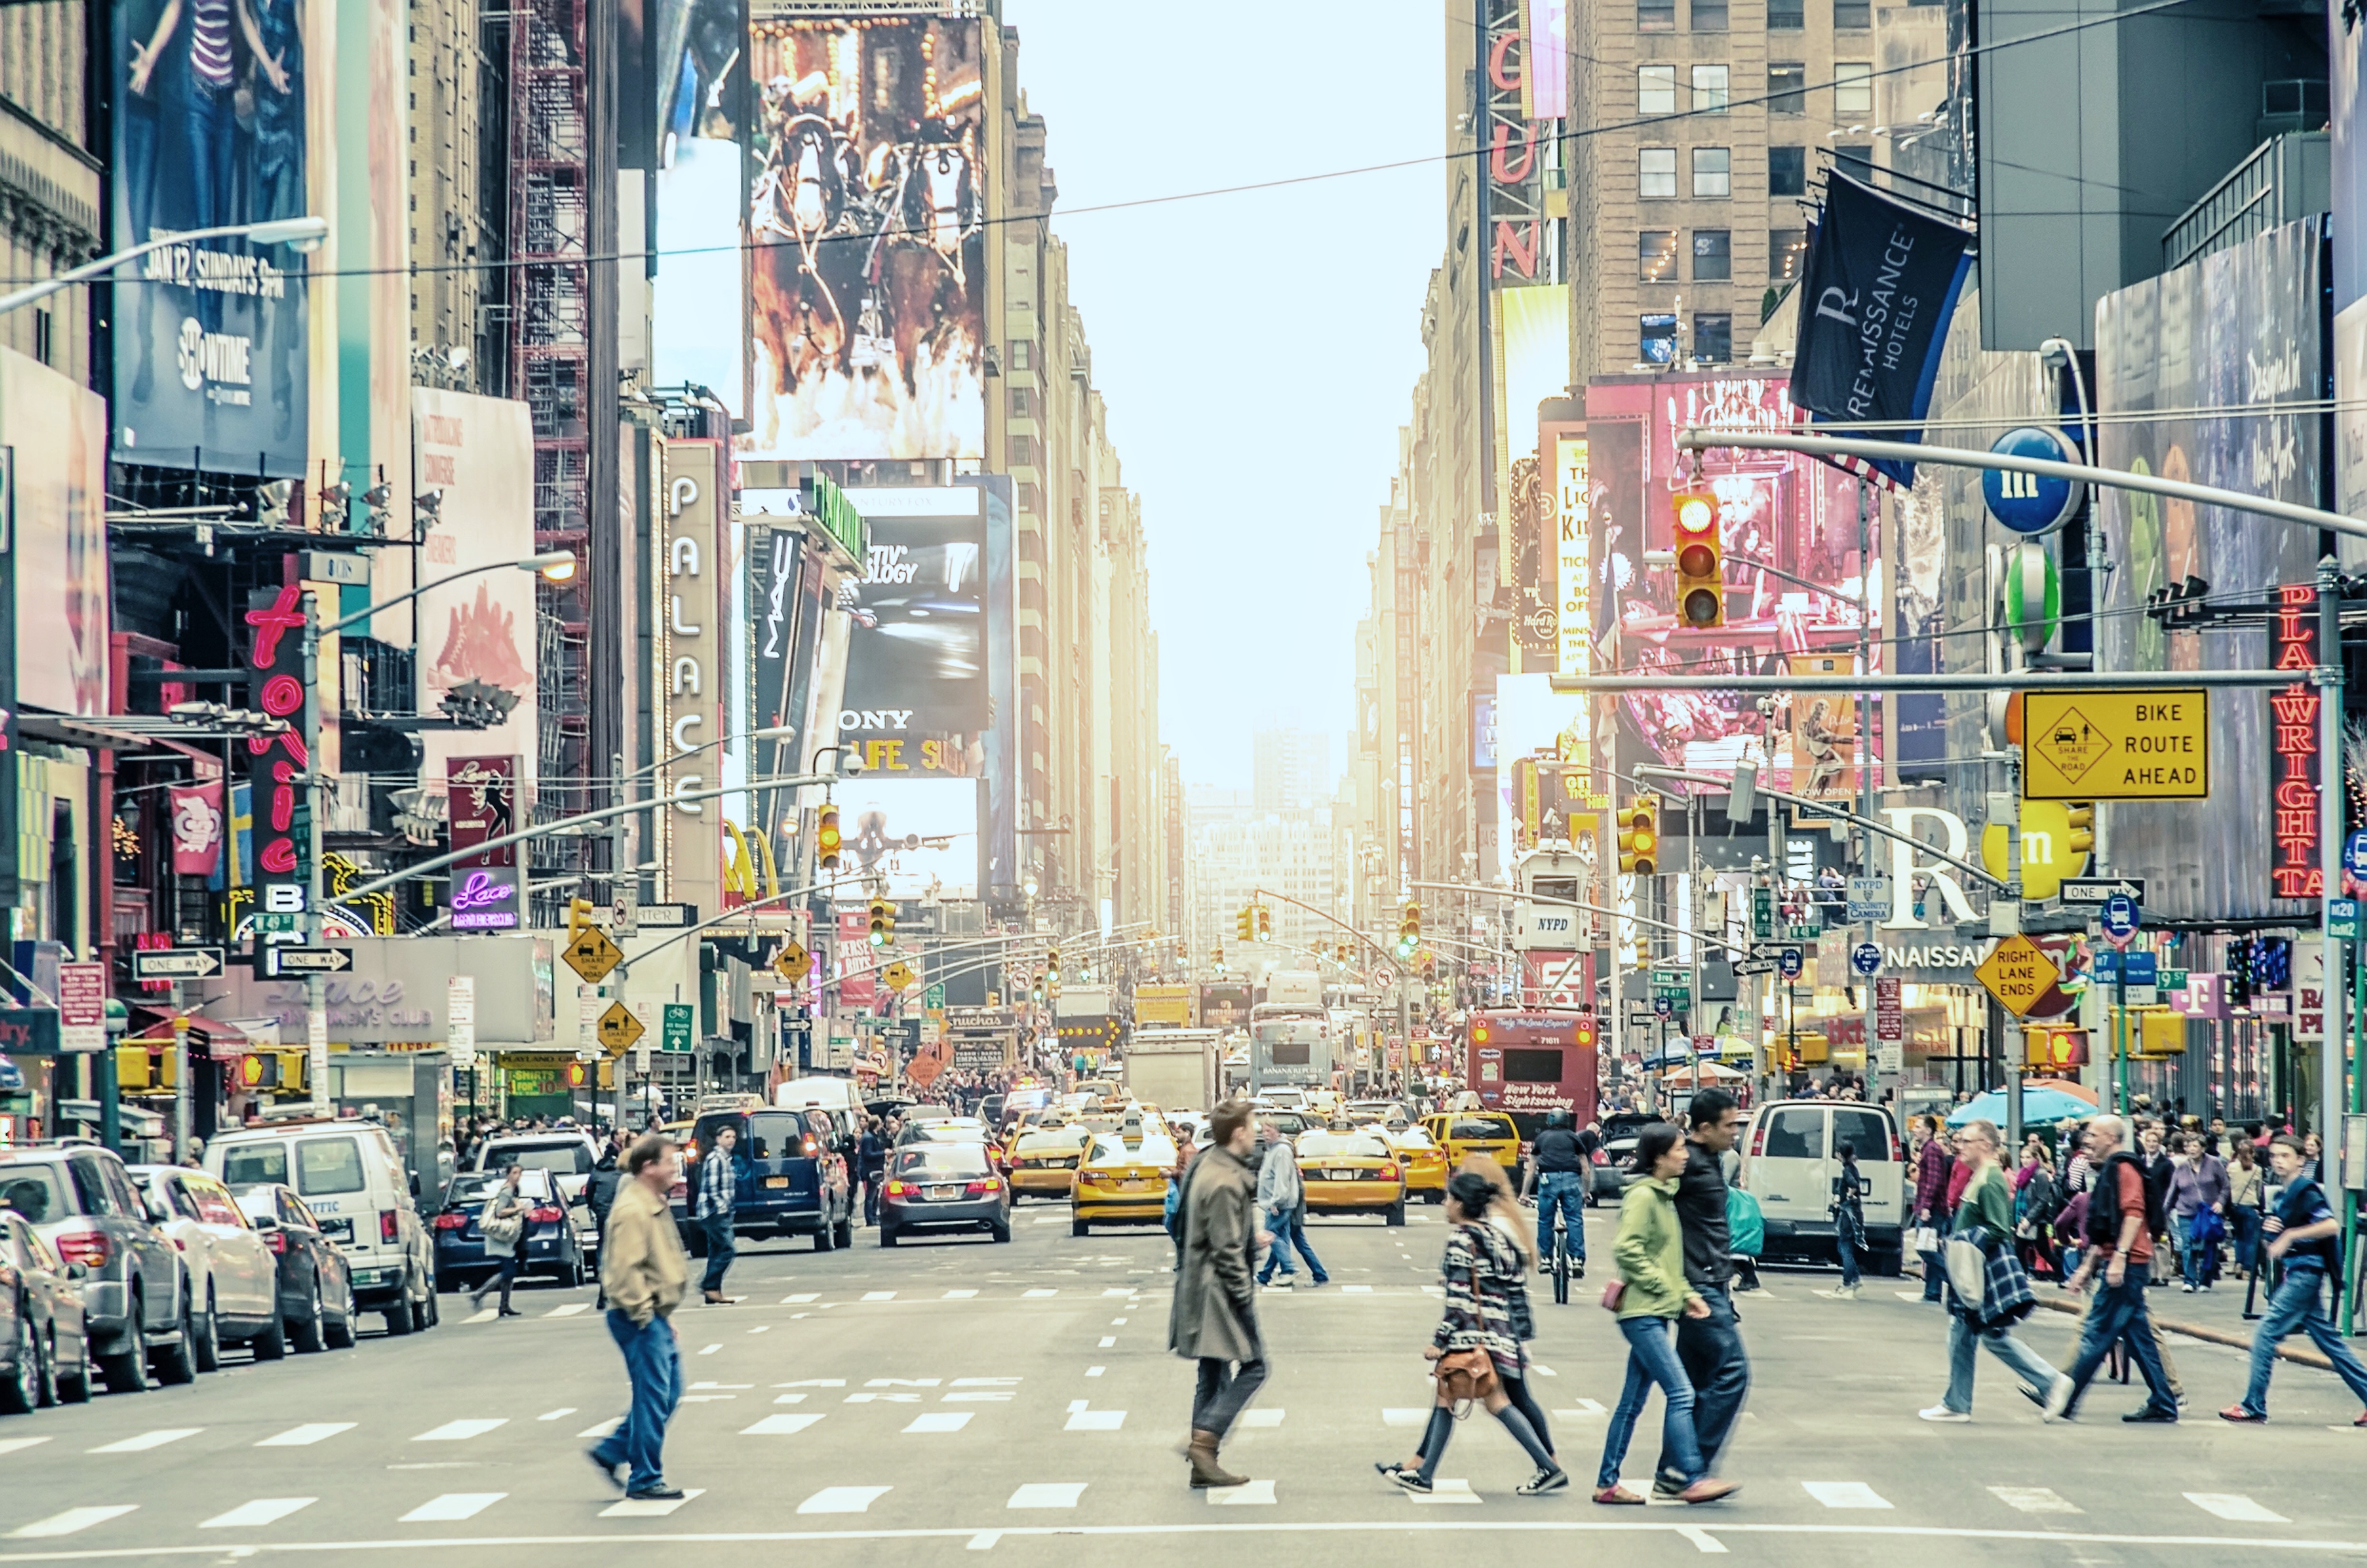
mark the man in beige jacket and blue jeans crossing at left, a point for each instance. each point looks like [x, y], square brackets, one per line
[645, 1273]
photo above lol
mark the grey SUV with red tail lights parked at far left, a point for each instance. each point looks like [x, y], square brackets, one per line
[136, 1292]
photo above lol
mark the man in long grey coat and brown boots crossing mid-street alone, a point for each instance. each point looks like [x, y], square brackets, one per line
[1215, 1306]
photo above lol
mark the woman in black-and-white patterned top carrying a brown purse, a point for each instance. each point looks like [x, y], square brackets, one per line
[1473, 1349]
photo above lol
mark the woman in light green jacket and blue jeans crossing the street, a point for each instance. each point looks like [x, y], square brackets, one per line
[1653, 1292]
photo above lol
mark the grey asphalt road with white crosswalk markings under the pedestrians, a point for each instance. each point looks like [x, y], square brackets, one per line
[957, 1396]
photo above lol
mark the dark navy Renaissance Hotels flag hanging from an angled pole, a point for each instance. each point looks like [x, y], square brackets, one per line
[1873, 314]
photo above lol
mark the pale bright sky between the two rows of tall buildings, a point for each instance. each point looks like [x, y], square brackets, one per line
[1258, 352]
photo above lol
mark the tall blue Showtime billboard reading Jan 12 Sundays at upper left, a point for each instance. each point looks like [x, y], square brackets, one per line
[212, 345]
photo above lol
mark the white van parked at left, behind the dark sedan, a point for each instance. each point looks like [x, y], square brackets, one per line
[354, 1183]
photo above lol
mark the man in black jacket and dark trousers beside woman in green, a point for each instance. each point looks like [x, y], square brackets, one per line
[1710, 1347]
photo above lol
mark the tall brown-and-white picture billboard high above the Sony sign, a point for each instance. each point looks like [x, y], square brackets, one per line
[868, 243]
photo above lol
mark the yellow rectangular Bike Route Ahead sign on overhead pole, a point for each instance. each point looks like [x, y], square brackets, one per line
[2117, 745]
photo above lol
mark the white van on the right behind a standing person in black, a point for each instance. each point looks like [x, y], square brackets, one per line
[1791, 1162]
